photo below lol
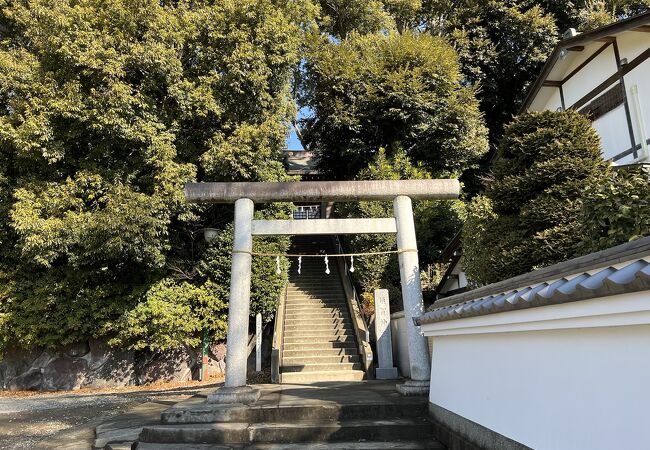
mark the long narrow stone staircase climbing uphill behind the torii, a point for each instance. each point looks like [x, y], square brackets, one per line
[319, 341]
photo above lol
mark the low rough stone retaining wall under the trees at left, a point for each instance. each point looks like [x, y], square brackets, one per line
[93, 364]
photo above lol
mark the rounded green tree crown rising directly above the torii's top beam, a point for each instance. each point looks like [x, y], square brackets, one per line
[400, 91]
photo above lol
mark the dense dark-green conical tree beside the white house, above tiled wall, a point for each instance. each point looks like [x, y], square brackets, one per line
[529, 216]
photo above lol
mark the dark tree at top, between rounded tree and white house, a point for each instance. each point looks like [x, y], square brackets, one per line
[502, 46]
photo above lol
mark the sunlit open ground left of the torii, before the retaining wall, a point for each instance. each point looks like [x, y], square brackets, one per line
[67, 420]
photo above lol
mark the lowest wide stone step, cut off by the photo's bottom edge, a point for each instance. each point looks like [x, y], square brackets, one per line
[349, 445]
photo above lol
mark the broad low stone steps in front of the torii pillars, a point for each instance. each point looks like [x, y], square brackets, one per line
[339, 415]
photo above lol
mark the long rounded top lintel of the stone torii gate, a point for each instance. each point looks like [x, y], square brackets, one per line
[319, 191]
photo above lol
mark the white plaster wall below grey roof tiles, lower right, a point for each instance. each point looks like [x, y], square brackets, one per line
[582, 387]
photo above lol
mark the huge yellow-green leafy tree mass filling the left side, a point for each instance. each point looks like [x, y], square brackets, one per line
[106, 110]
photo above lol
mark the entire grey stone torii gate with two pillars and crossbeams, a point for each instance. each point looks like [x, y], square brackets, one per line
[245, 195]
